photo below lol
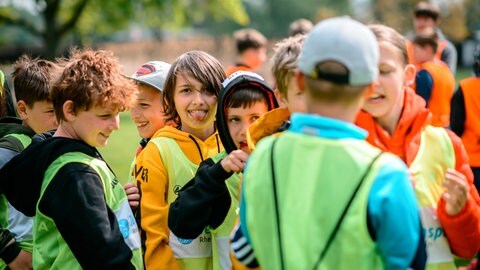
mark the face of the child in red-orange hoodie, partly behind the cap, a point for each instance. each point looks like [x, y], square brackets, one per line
[386, 101]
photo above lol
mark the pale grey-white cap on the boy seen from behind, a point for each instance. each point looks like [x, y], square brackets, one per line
[343, 40]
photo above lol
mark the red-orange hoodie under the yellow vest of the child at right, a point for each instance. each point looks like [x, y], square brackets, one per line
[463, 229]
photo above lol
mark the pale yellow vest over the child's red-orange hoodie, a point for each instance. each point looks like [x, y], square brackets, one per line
[435, 156]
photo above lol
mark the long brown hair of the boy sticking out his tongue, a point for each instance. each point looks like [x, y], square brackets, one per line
[203, 67]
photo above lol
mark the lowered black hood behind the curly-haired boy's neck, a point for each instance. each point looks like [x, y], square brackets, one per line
[21, 178]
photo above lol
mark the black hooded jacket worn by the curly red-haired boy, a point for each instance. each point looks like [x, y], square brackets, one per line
[74, 199]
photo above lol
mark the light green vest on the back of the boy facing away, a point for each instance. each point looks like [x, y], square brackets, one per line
[310, 202]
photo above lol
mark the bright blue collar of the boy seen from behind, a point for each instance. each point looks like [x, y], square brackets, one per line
[325, 127]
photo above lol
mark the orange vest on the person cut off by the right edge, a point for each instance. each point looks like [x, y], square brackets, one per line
[471, 133]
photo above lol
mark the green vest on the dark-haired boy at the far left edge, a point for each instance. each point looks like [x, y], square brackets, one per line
[10, 218]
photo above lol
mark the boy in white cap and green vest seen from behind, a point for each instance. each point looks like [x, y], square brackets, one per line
[320, 196]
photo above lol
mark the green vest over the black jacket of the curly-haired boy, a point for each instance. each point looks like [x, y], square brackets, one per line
[50, 251]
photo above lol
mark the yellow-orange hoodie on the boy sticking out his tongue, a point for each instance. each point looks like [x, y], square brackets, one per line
[155, 187]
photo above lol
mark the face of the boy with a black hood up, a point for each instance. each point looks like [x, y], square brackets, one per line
[239, 119]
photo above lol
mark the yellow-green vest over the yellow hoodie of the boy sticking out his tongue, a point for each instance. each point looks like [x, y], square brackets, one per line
[191, 254]
